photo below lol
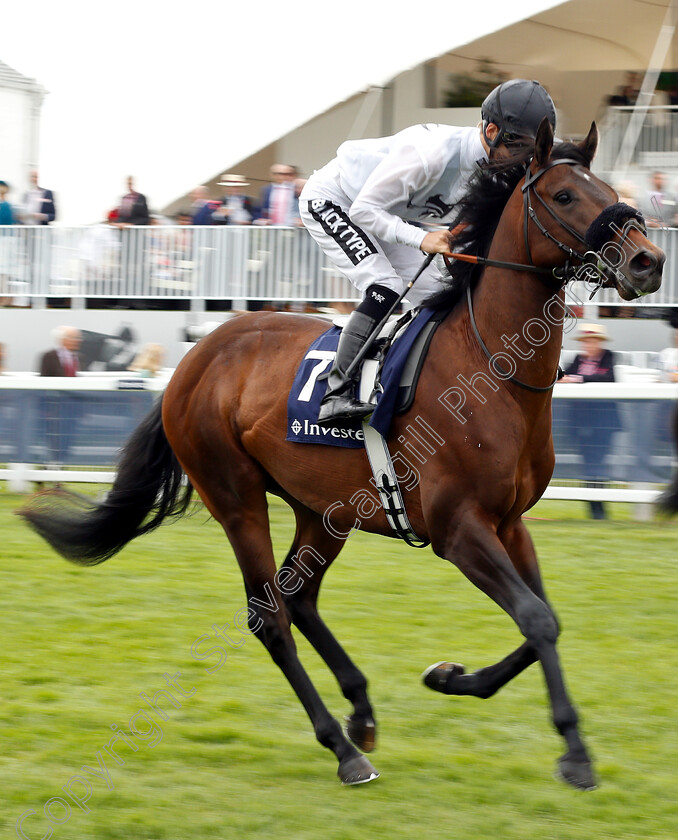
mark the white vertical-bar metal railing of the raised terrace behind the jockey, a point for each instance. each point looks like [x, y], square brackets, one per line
[208, 263]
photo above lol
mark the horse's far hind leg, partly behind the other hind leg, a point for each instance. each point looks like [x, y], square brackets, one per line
[312, 552]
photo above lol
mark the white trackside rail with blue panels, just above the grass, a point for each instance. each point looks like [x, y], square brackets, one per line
[66, 429]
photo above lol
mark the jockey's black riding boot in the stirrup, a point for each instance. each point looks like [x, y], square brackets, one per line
[339, 402]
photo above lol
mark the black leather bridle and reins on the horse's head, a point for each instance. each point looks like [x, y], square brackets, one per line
[594, 240]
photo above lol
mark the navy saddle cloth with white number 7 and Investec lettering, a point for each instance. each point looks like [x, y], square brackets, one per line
[397, 374]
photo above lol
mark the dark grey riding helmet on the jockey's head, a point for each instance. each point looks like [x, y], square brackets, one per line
[516, 107]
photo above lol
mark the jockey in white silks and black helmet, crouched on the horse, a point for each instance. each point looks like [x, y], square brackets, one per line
[364, 207]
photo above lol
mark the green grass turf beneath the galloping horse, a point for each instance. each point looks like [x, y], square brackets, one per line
[238, 759]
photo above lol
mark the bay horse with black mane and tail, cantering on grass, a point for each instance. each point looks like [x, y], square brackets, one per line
[222, 423]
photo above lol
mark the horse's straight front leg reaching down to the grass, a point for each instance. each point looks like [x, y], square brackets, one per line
[475, 548]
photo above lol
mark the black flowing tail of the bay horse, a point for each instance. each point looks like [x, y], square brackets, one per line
[147, 489]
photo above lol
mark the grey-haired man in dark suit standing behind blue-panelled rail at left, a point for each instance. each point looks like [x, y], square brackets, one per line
[61, 409]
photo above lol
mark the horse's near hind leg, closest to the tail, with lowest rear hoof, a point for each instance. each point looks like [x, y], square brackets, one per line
[242, 511]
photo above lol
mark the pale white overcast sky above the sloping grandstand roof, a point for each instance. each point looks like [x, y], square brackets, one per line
[173, 92]
